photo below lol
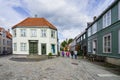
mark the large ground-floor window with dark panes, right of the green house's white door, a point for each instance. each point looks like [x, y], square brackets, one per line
[107, 43]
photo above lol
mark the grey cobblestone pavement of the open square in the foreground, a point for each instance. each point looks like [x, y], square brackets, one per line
[53, 69]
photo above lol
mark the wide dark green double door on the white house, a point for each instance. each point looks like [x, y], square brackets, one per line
[33, 47]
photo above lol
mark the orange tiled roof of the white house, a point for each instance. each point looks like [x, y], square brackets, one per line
[31, 22]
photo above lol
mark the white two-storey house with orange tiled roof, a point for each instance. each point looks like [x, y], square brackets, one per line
[34, 36]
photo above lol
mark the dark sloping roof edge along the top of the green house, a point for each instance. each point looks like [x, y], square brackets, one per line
[109, 7]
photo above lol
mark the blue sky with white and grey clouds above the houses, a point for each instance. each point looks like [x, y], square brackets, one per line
[69, 16]
